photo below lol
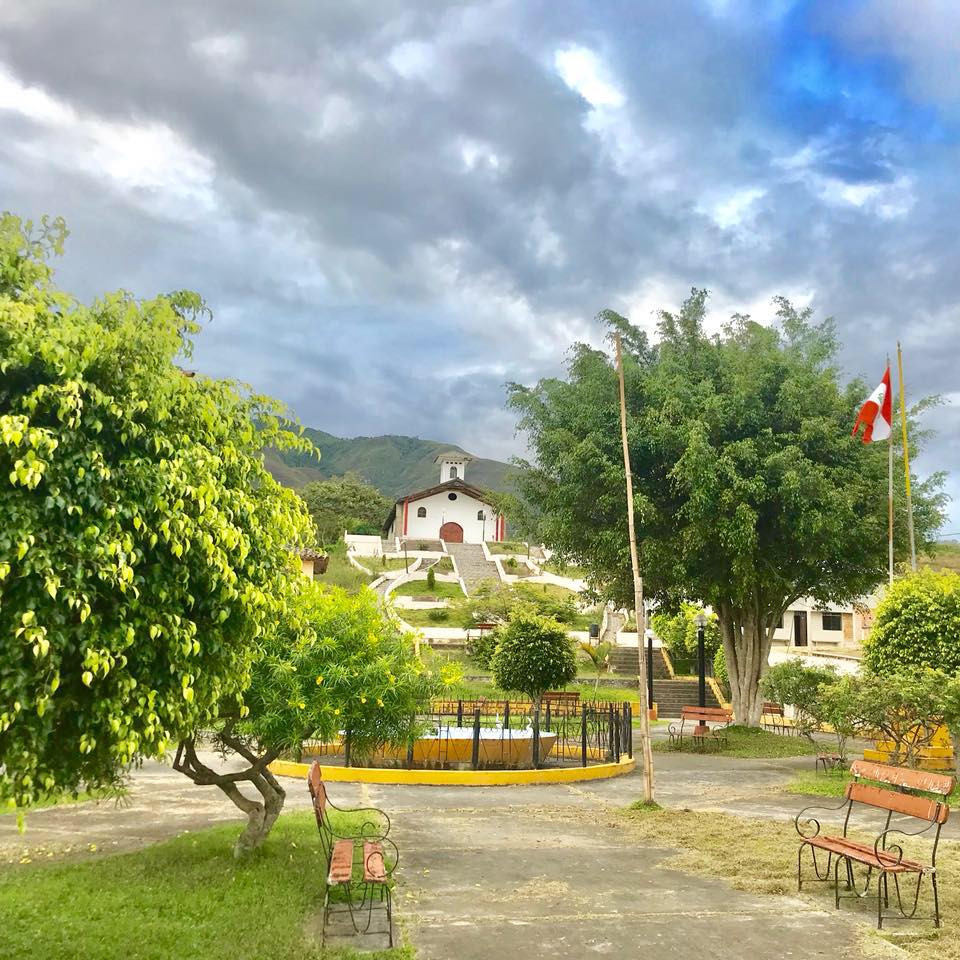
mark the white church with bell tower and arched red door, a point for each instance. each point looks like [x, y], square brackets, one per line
[452, 511]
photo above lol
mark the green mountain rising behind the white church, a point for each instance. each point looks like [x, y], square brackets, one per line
[394, 465]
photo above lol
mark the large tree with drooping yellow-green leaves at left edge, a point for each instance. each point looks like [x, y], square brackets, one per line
[144, 548]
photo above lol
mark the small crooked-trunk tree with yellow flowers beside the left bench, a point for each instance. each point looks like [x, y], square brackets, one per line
[335, 663]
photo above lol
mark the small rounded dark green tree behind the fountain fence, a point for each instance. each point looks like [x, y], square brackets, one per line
[533, 654]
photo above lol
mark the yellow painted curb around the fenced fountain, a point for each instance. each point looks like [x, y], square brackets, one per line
[456, 778]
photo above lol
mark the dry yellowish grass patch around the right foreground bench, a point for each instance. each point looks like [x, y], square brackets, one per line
[761, 856]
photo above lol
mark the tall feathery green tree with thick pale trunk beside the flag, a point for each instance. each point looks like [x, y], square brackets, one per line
[751, 493]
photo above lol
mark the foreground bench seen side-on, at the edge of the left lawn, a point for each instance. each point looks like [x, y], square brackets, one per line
[363, 856]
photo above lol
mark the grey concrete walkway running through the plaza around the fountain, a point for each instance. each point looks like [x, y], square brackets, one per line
[522, 871]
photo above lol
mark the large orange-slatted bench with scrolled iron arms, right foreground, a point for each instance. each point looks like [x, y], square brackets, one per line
[893, 790]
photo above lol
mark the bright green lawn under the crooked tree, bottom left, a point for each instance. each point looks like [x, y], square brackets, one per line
[185, 898]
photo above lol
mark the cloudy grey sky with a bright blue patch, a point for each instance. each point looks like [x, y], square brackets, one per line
[394, 207]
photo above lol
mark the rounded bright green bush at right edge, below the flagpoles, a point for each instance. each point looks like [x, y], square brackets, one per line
[917, 625]
